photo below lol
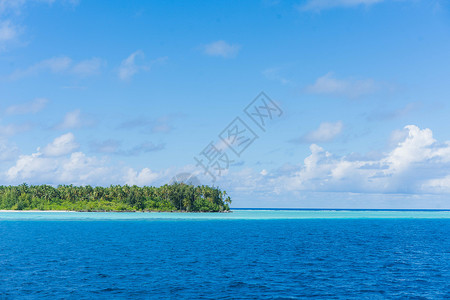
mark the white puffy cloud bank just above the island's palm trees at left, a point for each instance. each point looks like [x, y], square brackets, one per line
[60, 163]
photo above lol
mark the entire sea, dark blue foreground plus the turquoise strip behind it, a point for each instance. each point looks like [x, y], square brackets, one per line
[241, 255]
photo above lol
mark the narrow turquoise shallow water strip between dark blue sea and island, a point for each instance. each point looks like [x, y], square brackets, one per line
[235, 215]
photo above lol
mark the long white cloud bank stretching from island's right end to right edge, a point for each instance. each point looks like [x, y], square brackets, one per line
[417, 165]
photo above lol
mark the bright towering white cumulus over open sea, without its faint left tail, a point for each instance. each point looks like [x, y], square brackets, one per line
[417, 164]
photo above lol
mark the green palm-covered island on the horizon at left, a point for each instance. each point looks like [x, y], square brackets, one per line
[176, 197]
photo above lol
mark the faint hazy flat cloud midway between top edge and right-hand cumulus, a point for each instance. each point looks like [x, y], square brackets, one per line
[352, 88]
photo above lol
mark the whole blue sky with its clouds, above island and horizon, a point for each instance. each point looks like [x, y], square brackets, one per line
[308, 103]
